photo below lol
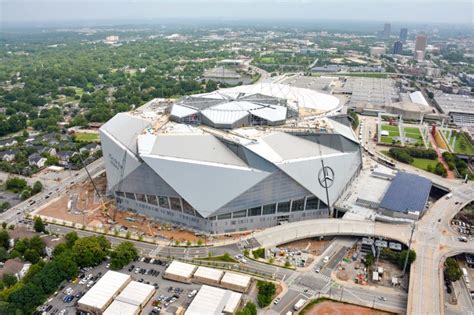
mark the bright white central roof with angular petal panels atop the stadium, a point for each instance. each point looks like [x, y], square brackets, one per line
[257, 104]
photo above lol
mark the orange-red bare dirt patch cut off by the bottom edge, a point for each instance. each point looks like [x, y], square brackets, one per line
[335, 308]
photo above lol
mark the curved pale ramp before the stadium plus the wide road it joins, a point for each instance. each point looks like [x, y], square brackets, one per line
[433, 242]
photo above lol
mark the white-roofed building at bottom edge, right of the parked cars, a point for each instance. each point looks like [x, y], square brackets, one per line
[214, 301]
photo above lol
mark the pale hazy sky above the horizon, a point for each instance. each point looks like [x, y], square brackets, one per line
[421, 11]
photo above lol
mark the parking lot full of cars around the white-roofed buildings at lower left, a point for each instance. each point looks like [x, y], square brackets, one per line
[170, 294]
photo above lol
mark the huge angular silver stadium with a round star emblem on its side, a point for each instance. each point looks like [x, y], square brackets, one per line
[231, 160]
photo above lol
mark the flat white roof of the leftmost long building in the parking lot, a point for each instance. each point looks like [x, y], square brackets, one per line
[104, 289]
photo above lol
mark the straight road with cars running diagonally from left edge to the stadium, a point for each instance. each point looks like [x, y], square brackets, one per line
[15, 213]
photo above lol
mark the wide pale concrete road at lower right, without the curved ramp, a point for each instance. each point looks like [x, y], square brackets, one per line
[434, 242]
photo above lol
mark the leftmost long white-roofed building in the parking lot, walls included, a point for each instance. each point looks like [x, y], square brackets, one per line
[101, 295]
